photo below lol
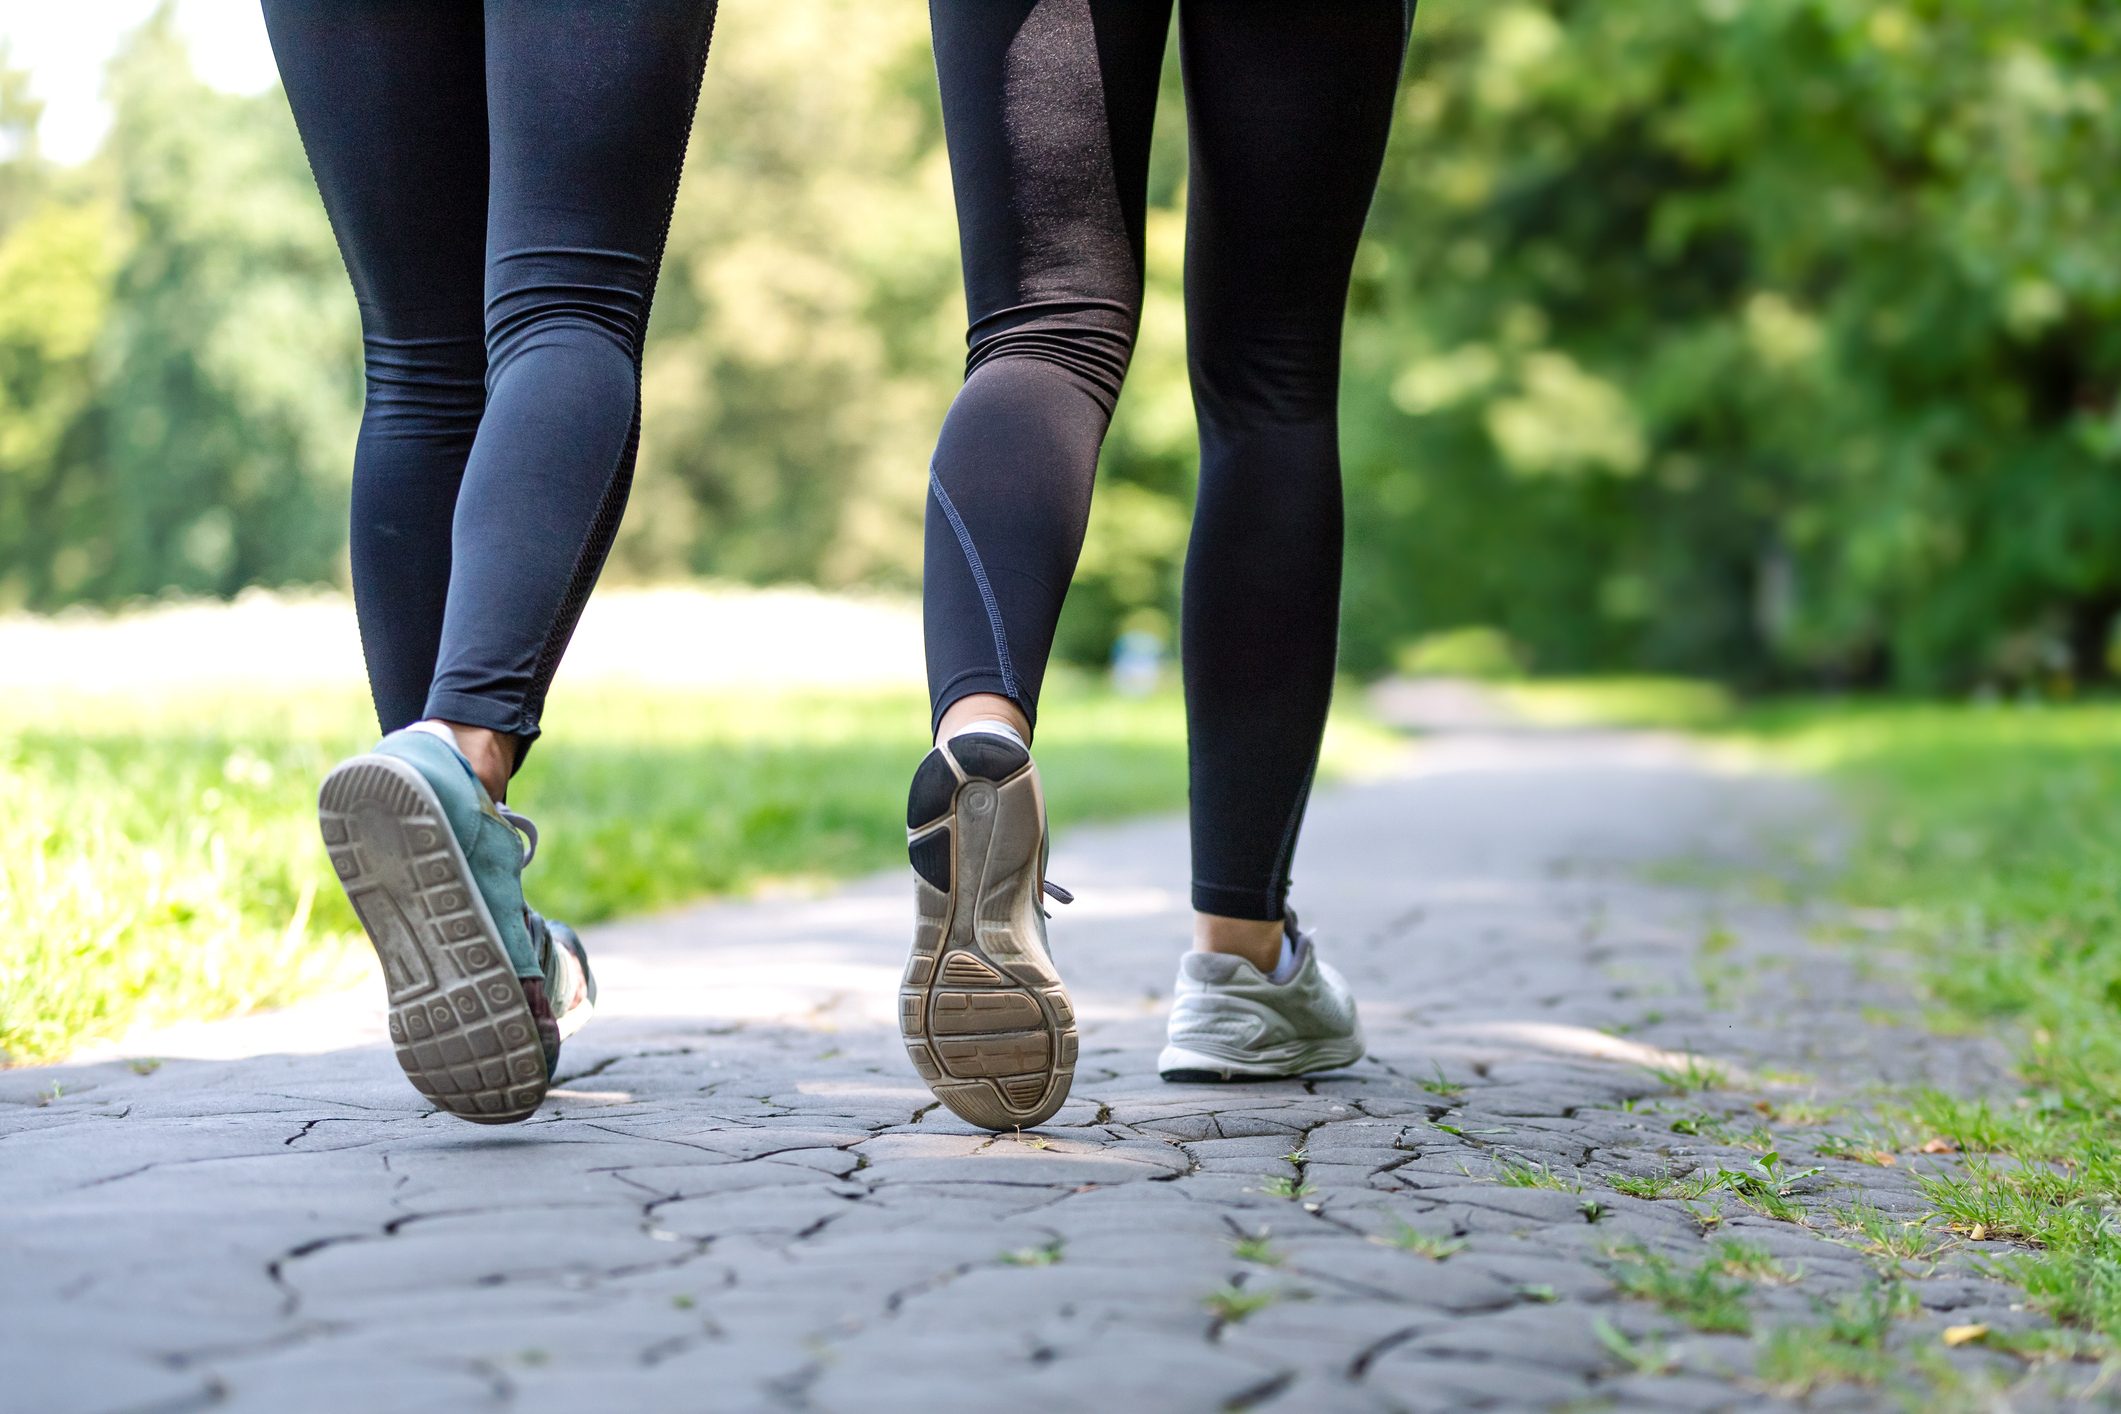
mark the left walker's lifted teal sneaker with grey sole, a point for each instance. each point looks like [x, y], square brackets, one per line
[480, 989]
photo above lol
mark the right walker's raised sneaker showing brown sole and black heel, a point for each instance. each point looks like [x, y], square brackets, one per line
[985, 1017]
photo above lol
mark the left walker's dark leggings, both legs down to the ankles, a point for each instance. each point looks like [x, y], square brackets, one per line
[499, 177]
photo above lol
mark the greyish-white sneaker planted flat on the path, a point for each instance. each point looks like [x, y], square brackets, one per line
[1231, 1023]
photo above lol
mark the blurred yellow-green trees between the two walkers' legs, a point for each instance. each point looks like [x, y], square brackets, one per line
[809, 323]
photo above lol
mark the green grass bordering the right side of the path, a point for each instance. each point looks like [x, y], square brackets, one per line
[1993, 847]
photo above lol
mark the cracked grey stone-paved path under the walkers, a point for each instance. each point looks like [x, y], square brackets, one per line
[743, 1201]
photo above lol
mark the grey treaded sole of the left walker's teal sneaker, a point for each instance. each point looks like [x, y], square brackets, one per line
[459, 1021]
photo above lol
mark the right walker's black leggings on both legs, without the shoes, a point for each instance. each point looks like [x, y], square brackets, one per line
[1049, 109]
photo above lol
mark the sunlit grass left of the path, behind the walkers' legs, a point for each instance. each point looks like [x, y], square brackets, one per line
[160, 860]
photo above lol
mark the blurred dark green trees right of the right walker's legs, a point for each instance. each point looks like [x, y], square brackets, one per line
[1770, 338]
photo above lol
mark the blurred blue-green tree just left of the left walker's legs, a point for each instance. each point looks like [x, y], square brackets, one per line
[230, 361]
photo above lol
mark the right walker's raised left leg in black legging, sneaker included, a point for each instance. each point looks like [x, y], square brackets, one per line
[1047, 109]
